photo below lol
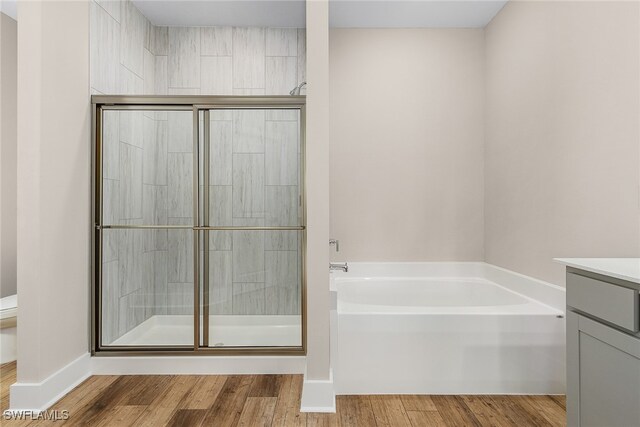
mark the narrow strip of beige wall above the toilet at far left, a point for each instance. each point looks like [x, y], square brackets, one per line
[8, 124]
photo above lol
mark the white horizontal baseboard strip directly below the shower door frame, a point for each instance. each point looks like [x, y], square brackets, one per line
[197, 365]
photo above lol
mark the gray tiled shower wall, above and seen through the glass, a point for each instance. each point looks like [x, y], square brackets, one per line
[148, 156]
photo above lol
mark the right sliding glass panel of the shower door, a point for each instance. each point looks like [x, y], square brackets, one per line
[253, 218]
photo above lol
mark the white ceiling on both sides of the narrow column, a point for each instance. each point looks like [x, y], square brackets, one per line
[343, 13]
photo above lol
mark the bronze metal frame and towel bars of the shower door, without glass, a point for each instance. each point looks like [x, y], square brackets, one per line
[197, 104]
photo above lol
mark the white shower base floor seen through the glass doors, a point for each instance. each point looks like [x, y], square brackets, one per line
[224, 331]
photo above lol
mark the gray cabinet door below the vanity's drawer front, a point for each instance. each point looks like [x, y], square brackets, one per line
[608, 371]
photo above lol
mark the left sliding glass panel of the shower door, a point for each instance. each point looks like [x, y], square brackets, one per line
[146, 237]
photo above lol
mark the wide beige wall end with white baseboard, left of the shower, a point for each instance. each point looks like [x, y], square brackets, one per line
[53, 200]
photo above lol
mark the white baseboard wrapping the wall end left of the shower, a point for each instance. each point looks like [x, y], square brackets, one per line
[38, 397]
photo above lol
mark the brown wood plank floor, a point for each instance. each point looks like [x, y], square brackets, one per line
[274, 400]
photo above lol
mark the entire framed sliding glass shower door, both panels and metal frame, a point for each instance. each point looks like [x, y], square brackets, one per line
[199, 225]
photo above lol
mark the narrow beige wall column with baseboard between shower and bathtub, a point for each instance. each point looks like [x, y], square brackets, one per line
[318, 388]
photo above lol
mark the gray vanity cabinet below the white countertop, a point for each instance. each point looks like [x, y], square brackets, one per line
[603, 351]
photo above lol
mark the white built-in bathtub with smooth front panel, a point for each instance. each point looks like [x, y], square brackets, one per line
[446, 328]
